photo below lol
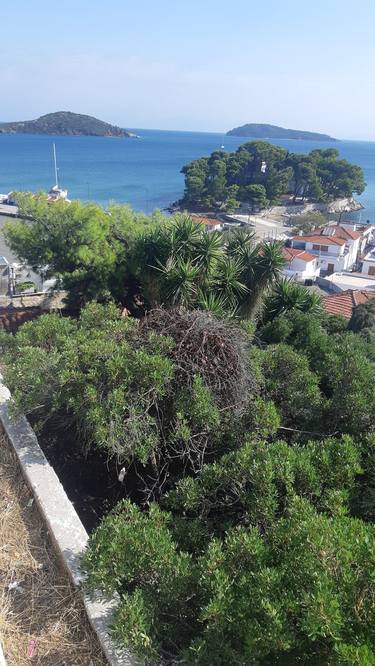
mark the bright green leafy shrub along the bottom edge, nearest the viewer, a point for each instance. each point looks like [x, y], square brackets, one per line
[301, 593]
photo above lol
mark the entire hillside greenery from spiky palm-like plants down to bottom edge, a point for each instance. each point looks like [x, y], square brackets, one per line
[242, 418]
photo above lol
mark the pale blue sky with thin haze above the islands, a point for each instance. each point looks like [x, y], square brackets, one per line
[193, 64]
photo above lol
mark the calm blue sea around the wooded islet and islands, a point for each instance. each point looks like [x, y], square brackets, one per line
[143, 172]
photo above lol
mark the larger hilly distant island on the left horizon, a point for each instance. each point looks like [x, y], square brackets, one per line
[65, 123]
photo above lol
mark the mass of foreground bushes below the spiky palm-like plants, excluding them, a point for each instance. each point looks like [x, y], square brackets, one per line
[246, 538]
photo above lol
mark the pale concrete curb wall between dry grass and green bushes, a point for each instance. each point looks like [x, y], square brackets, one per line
[63, 523]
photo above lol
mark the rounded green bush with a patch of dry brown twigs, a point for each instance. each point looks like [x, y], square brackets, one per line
[159, 395]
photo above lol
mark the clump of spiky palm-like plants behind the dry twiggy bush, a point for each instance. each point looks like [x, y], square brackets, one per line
[190, 263]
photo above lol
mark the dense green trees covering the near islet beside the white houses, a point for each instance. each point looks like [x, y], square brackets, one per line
[258, 173]
